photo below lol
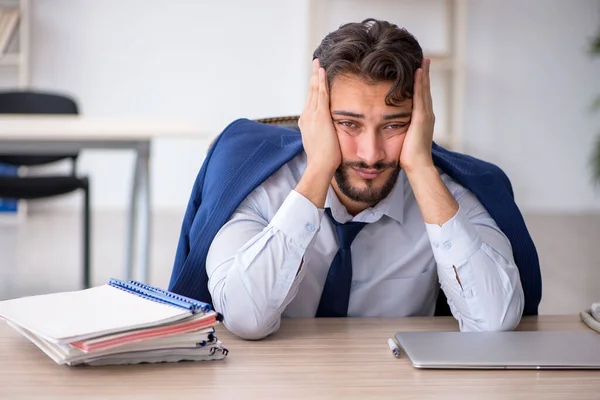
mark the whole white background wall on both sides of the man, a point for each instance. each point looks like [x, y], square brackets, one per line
[529, 82]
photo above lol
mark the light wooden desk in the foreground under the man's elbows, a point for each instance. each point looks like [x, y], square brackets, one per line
[307, 358]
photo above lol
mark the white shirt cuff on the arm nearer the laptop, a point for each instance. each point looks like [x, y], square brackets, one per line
[455, 241]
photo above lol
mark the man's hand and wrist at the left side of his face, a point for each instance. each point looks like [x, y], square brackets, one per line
[319, 139]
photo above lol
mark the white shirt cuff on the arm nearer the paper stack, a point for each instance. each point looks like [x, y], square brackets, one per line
[298, 219]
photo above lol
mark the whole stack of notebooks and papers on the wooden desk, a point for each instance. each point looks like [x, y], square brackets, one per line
[118, 323]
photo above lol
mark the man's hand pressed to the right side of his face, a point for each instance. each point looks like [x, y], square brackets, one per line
[416, 150]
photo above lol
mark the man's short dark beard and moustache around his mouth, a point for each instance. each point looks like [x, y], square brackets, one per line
[370, 195]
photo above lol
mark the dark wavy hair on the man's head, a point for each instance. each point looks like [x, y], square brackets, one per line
[375, 51]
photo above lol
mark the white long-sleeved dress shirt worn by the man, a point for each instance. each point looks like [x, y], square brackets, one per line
[398, 261]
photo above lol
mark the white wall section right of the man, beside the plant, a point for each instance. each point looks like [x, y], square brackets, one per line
[530, 87]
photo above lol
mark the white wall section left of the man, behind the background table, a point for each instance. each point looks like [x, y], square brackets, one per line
[206, 61]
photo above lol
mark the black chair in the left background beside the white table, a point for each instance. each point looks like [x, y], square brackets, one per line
[17, 187]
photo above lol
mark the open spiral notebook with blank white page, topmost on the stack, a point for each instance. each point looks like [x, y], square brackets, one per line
[115, 307]
